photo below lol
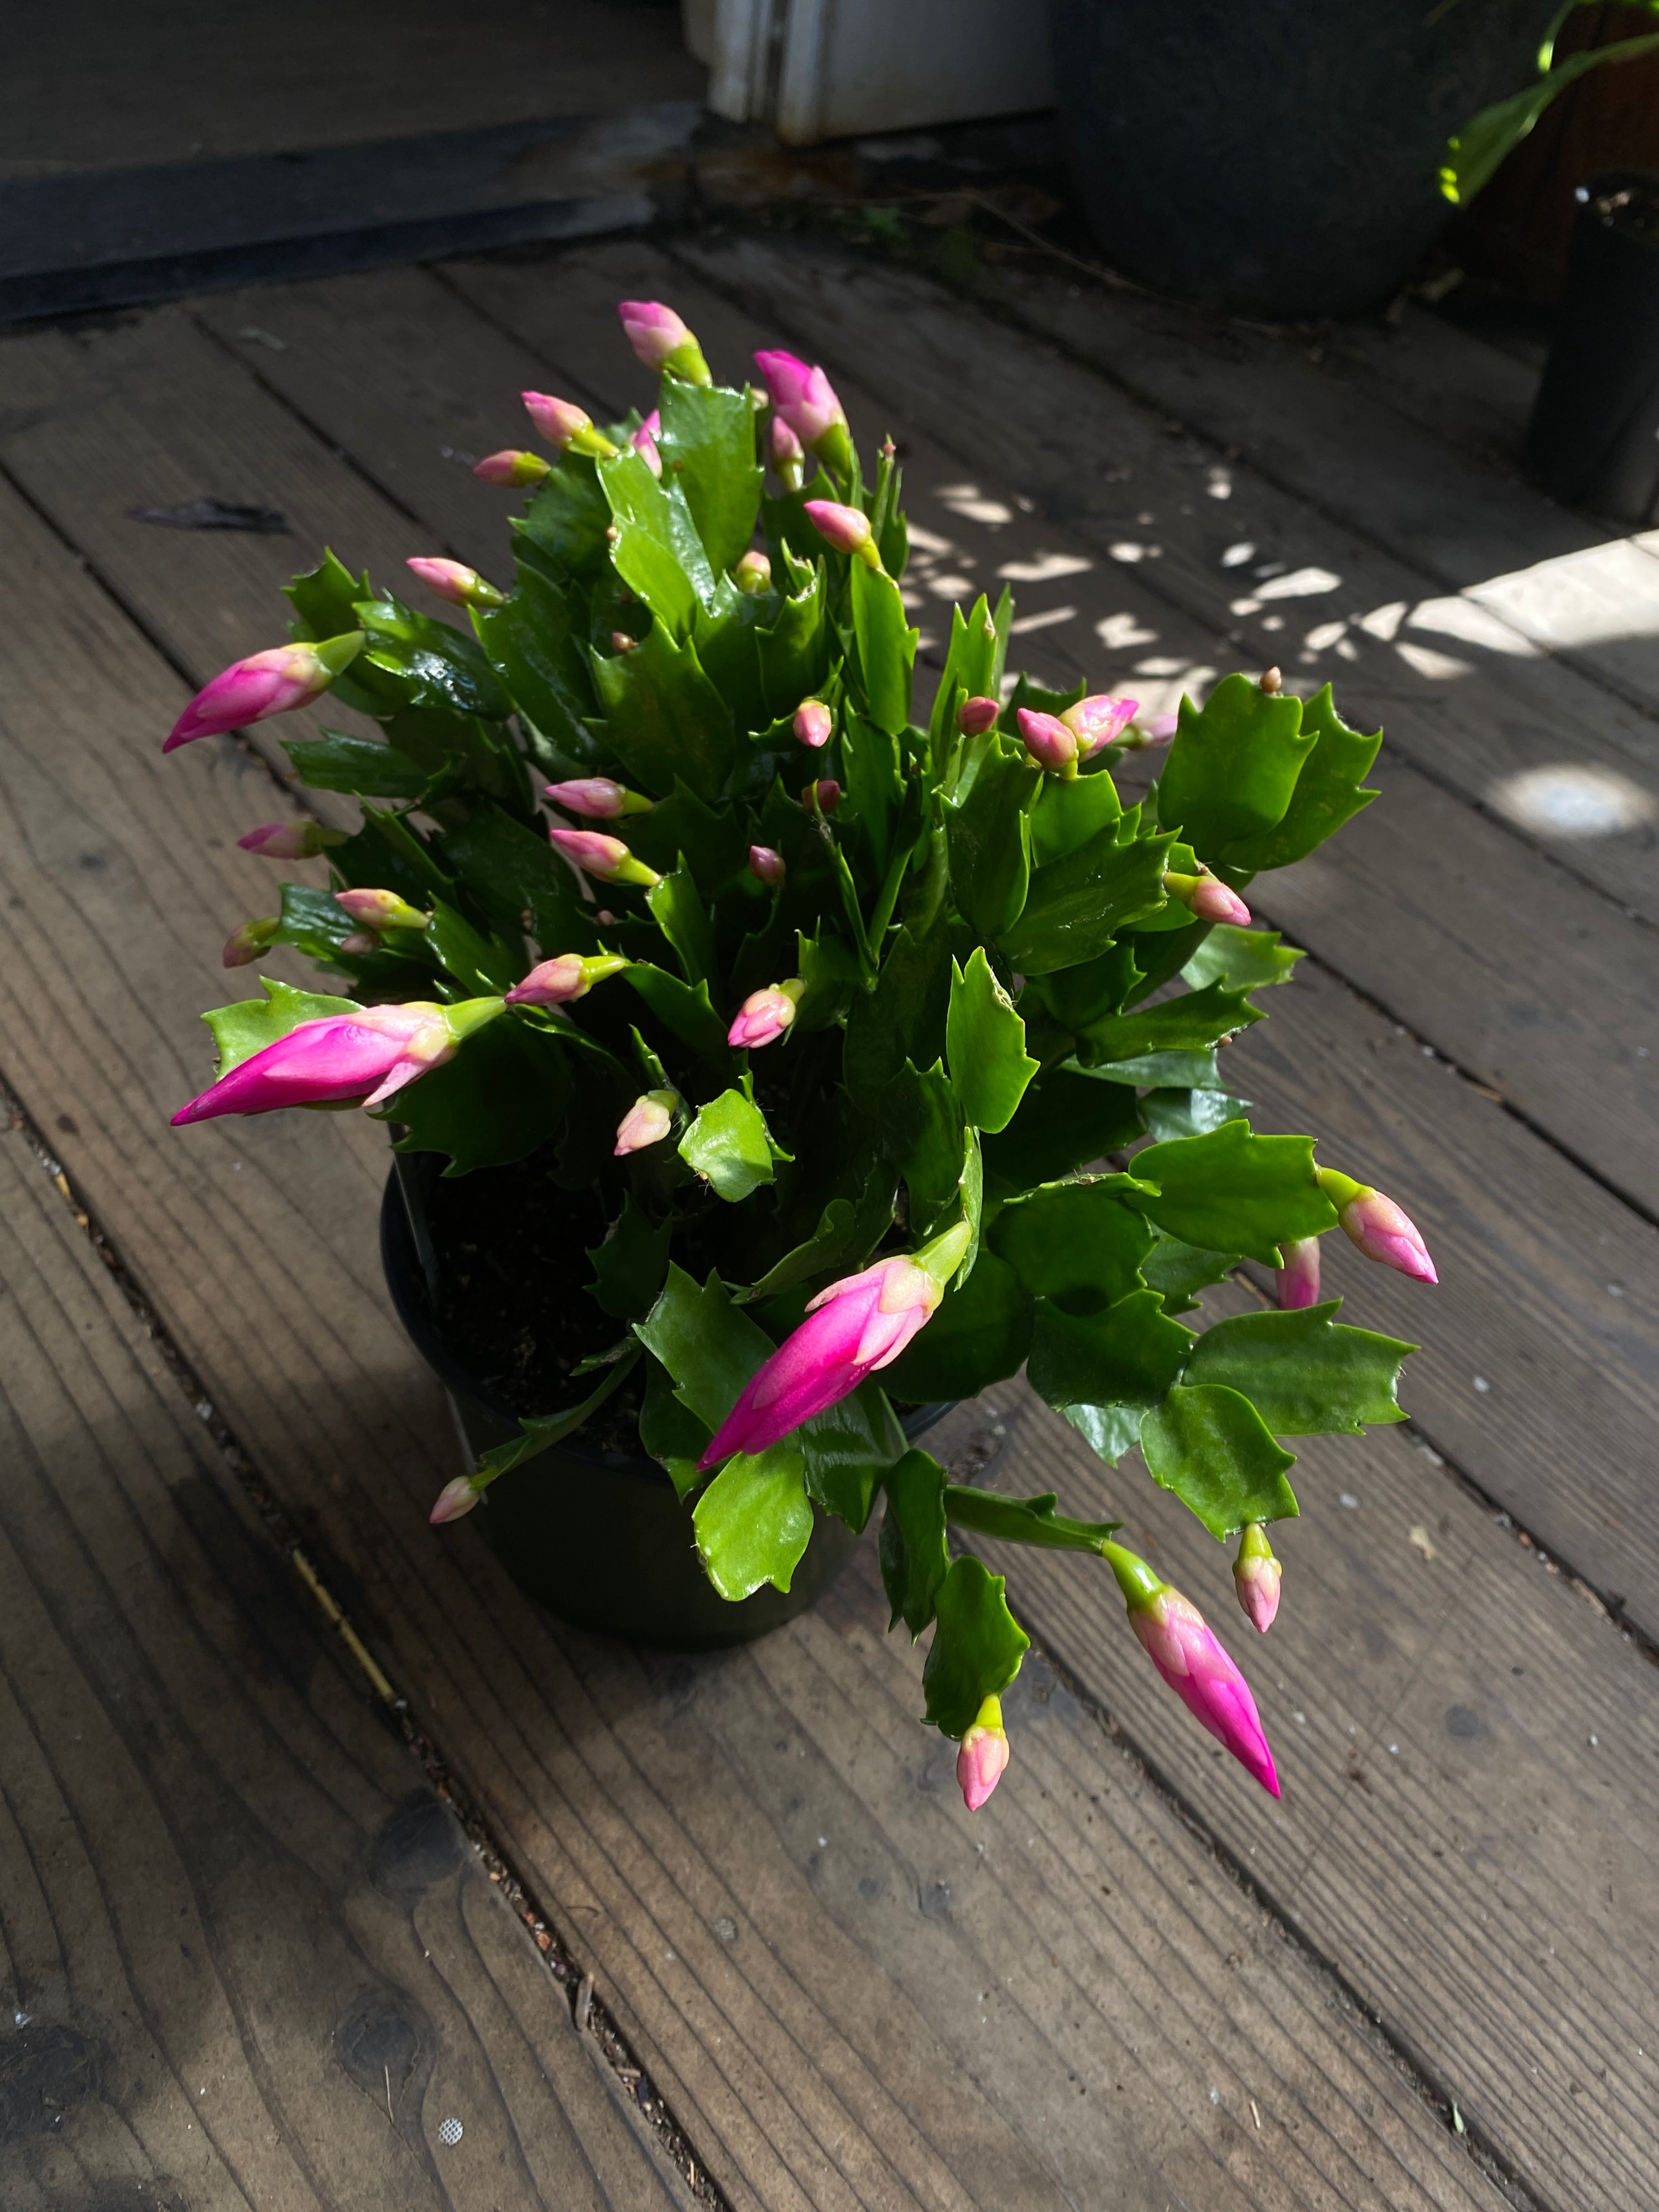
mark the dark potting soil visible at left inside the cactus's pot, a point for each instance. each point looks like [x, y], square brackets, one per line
[512, 1293]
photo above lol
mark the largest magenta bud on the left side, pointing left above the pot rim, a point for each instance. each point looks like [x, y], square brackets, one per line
[346, 1056]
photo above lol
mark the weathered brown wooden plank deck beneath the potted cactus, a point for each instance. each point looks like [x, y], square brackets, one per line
[247, 1952]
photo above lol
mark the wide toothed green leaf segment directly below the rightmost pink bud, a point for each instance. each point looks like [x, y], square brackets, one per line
[1304, 1373]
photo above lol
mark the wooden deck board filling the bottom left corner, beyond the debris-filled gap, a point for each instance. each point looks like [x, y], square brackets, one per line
[247, 1957]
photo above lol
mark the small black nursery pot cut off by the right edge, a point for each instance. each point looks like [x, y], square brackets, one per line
[1594, 439]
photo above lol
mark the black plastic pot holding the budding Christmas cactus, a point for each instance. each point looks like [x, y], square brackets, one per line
[596, 1536]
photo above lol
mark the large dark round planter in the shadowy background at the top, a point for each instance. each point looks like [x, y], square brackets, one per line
[1275, 158]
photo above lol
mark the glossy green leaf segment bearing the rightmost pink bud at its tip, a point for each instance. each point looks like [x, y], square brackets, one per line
[1235, 1191]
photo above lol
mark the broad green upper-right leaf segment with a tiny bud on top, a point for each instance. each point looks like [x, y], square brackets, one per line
[1233, 769]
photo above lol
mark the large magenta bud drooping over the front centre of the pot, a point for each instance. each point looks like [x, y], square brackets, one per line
[853, 1331]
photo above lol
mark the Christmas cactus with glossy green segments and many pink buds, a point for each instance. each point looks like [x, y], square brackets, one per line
[855, 1019]
